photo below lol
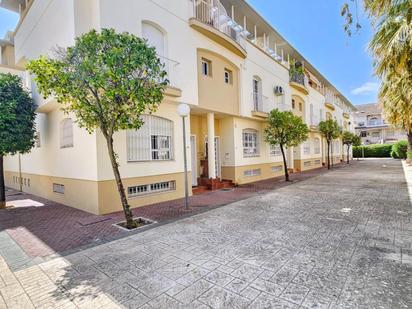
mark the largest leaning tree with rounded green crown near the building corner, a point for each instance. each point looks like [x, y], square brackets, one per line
[108, 81]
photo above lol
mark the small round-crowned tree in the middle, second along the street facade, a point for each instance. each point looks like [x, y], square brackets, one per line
[284, 129]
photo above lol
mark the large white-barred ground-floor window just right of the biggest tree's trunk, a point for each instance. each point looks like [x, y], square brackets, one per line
[152, 142]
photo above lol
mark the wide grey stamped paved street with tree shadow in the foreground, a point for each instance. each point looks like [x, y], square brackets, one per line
[338, 240]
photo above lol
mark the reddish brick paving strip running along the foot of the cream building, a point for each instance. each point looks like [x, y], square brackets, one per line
[54, 228]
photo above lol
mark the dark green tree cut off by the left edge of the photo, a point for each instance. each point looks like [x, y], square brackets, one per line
[17, 128]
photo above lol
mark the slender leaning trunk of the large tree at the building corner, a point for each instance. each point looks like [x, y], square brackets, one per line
[115, 166]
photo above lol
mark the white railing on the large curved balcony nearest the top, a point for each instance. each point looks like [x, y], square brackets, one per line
[214, 14]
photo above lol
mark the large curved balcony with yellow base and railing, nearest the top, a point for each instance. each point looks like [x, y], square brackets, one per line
[211, 20]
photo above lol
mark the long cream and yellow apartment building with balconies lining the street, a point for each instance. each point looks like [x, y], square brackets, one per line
[222, 58]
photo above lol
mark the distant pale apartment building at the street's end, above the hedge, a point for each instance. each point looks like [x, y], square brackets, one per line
[371, 126]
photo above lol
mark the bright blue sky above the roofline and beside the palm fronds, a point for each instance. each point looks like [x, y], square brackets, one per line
[315, 28]
